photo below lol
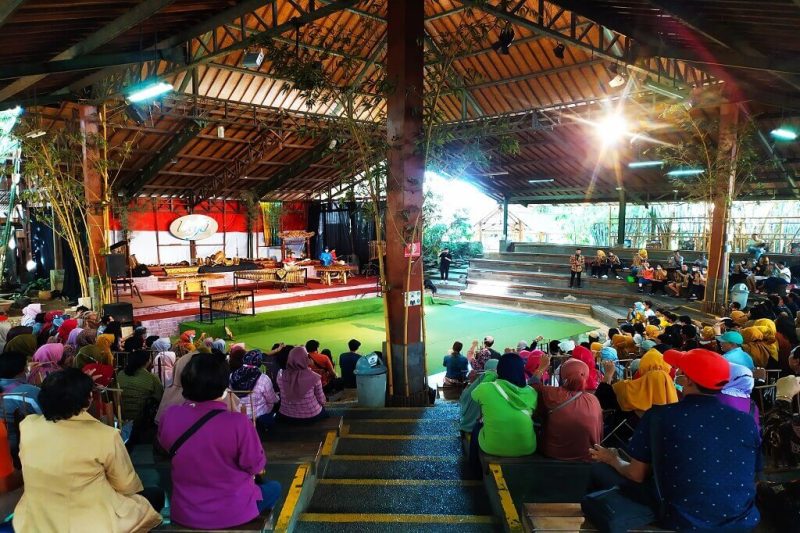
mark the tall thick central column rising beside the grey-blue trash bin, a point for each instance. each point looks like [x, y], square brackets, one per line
[405, 64]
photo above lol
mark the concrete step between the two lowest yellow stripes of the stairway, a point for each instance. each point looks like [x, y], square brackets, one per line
[405, 497]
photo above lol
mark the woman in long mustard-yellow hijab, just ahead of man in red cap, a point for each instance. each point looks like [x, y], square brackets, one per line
[654, 386]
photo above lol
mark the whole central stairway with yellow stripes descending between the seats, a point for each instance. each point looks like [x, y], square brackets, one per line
[399, 470]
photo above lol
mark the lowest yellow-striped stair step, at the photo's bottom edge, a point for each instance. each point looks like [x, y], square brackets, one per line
[335, 523]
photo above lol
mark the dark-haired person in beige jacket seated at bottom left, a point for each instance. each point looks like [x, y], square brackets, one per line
[78, 475]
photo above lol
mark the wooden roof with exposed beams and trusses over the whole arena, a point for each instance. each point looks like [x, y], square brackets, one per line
[55, 54]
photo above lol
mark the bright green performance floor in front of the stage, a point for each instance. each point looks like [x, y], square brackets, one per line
[334, 324]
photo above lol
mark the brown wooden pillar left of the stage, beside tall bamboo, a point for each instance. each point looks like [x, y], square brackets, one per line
[93, 189]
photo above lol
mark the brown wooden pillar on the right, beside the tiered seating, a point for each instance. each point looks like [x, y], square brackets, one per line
[718, 247]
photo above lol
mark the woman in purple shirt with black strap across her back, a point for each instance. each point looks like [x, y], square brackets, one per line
[213, 470]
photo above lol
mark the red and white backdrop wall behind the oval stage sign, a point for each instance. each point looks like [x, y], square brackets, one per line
[148, 223]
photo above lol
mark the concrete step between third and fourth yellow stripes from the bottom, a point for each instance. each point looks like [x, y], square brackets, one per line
[400, 445]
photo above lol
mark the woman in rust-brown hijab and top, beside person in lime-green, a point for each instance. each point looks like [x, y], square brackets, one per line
[572, 418]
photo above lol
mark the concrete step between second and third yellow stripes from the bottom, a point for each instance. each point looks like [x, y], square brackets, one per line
[396, 468]
